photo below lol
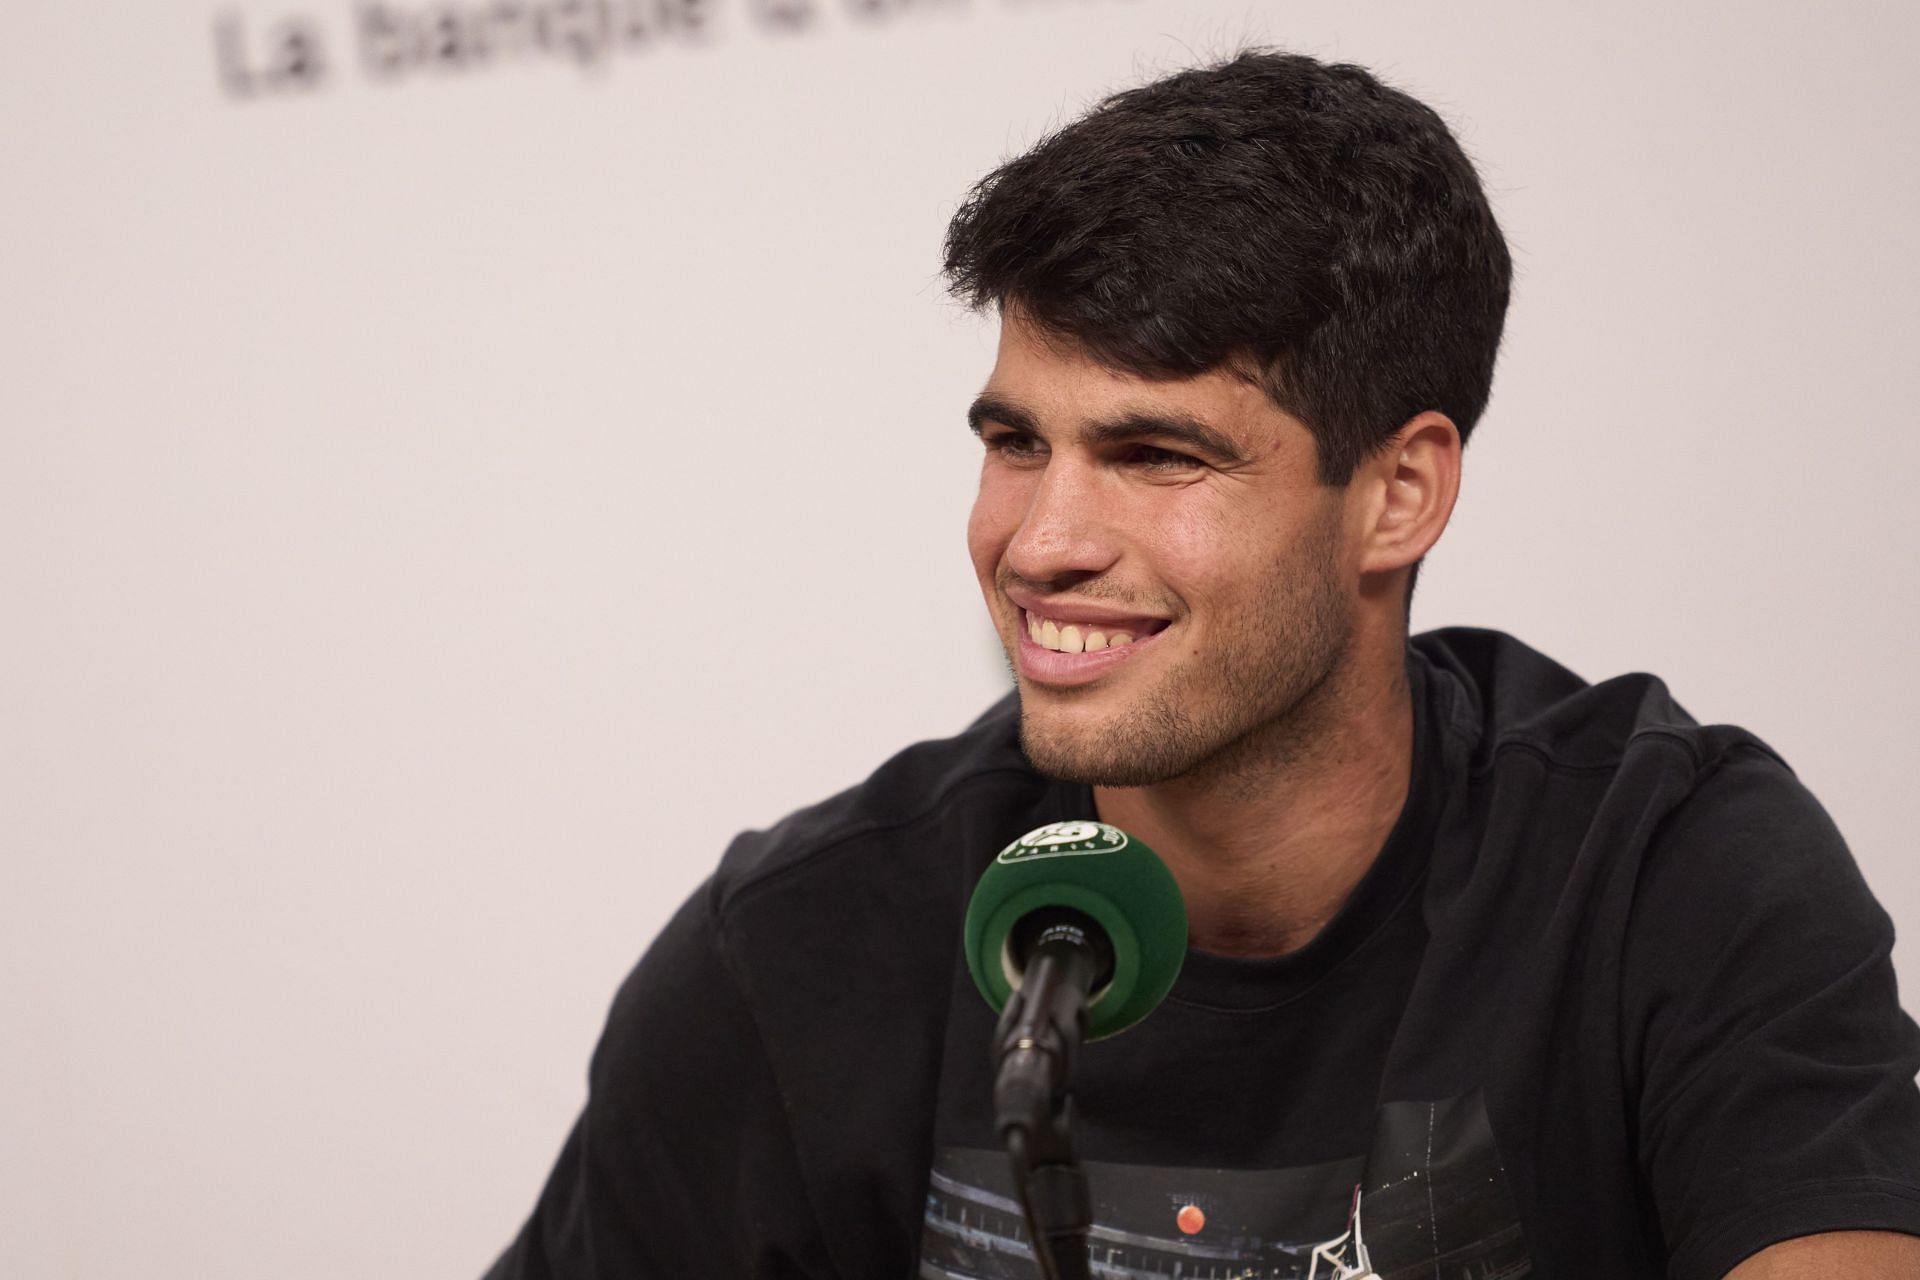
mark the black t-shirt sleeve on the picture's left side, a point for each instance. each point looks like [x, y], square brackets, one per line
[683, 1160]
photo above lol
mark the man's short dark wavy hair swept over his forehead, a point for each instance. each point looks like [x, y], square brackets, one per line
[1301, 224]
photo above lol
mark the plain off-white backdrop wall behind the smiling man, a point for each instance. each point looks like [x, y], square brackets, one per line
[439, 508]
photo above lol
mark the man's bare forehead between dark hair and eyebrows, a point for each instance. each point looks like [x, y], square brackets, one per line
[1065, 389]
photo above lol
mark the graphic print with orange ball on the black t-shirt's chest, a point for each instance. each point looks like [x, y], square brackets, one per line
[1429, 1200]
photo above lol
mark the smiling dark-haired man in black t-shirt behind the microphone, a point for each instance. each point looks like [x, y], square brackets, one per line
[1493, 972]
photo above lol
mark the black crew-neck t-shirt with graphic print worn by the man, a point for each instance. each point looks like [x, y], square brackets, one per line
[1612, 1003]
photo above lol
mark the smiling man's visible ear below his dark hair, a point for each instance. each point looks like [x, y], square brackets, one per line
[1410, 490]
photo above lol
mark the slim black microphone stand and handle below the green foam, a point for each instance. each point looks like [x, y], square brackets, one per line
[1036, 1043]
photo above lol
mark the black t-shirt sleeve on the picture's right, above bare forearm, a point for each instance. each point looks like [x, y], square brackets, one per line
[1773, 1062]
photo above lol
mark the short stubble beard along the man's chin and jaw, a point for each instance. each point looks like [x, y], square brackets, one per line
[1226, 717]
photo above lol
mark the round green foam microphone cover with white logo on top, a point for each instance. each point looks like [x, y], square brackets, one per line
[1103, 872]
